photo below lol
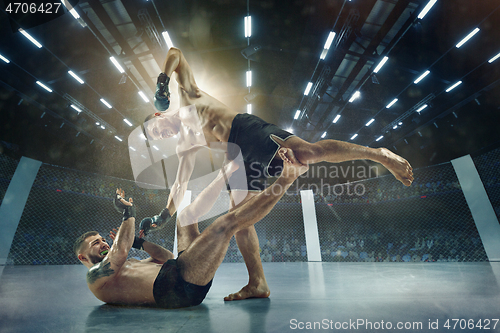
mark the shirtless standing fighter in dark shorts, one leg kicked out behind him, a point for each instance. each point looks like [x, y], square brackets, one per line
[259, 142]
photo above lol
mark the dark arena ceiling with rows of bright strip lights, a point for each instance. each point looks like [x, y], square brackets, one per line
[284, 53]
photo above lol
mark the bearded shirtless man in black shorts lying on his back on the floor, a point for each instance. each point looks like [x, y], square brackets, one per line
[161, 280]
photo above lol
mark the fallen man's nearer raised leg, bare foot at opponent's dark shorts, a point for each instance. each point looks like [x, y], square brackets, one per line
[201, 259]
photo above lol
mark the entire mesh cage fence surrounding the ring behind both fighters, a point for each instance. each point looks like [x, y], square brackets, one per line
[372, 220]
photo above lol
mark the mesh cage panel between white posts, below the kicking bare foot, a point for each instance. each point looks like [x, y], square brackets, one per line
[387, 221]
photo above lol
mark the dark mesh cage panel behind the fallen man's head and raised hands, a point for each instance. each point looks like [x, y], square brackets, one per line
[65, 203]
